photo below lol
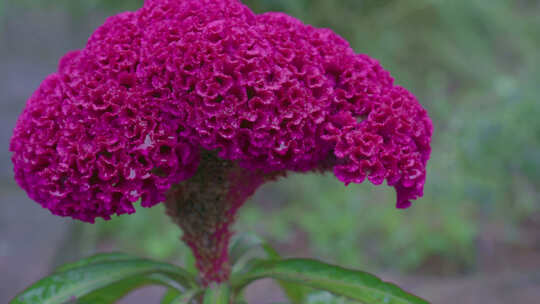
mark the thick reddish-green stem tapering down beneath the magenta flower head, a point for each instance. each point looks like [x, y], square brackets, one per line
[205, 207]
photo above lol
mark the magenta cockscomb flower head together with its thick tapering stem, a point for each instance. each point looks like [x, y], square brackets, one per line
[198, 103]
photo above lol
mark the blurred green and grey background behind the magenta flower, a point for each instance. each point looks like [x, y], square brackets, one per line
[473, 238]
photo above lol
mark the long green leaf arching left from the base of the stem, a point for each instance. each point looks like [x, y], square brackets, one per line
[78, 282]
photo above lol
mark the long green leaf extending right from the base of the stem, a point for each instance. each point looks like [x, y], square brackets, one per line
[356, 285]
